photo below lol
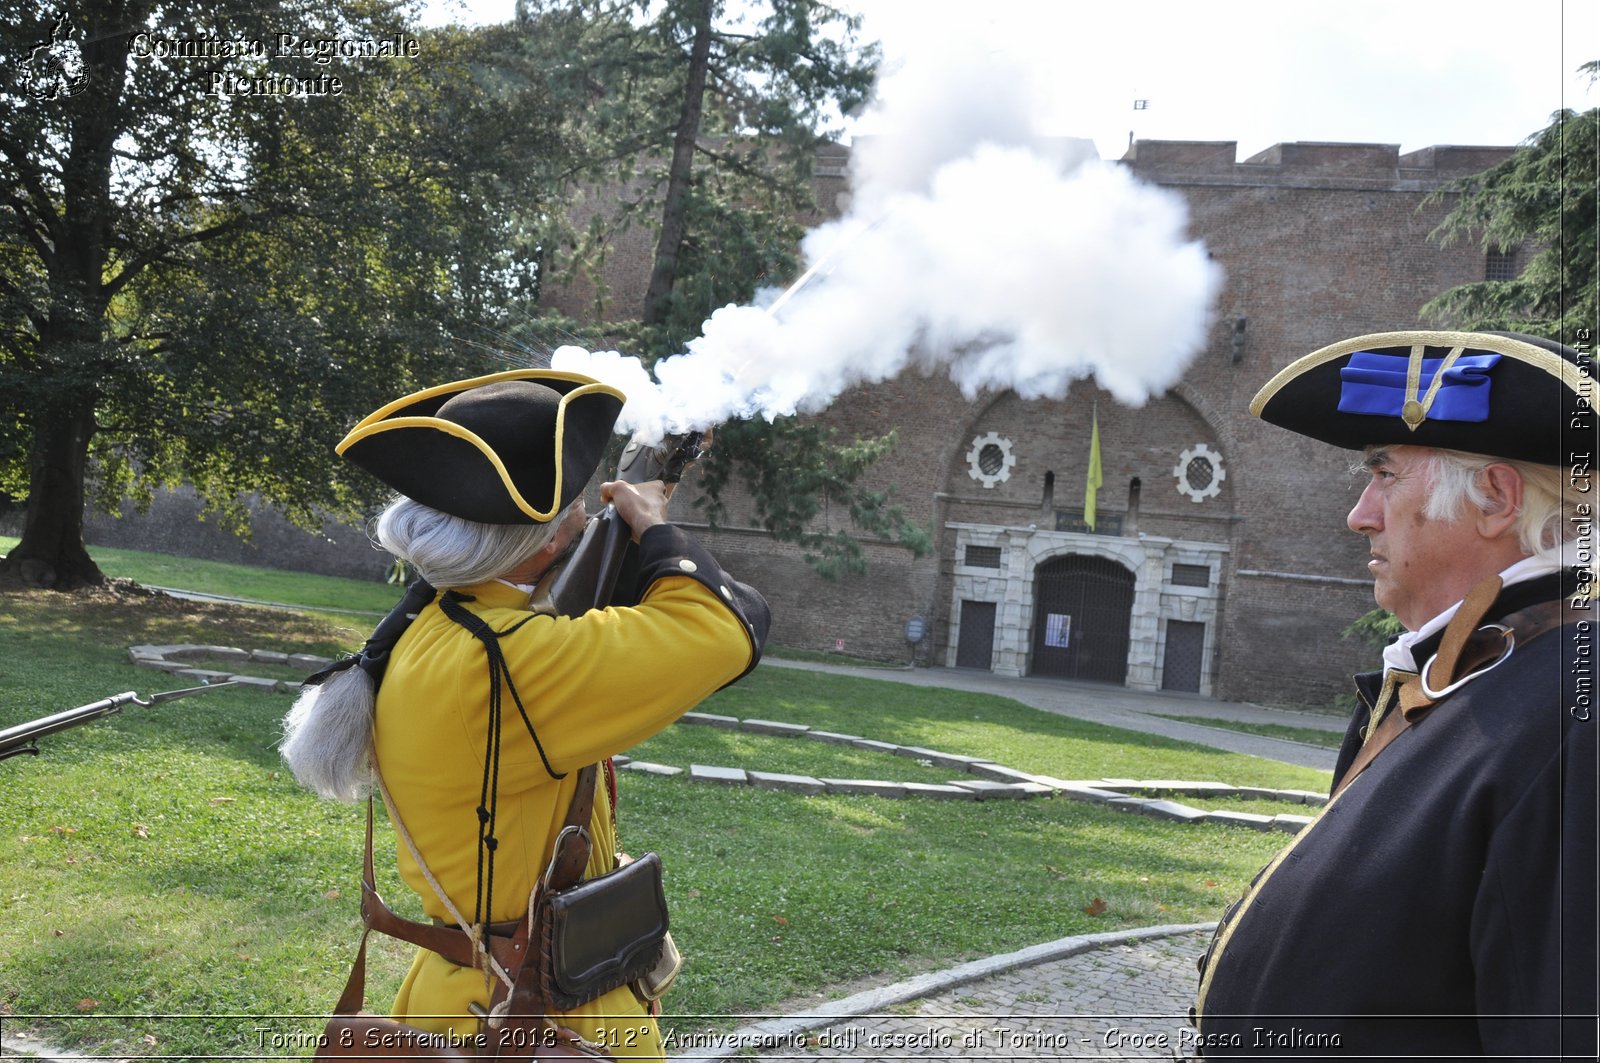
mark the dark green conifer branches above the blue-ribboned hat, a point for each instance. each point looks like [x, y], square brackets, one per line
[1543, 198]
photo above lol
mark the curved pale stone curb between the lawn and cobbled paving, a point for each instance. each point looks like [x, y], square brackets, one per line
[790, 1029]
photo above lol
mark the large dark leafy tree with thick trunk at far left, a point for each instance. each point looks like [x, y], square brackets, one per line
[212, 286]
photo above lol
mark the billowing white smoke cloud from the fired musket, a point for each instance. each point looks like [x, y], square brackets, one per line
[972, 247]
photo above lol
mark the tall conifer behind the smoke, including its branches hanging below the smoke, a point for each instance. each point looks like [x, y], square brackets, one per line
[708, 124]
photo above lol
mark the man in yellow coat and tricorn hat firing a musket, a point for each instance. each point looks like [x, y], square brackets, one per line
[487, 710]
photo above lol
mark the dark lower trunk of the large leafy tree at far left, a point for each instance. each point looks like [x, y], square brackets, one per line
[52, 552]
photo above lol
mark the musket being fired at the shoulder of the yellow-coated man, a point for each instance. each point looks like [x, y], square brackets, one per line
[588, 577]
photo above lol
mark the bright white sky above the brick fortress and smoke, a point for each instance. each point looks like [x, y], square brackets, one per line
[1258, 73]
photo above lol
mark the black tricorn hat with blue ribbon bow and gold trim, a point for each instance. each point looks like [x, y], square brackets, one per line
[1498, 395]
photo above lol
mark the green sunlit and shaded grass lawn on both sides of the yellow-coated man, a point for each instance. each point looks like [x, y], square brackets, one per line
[162, 864]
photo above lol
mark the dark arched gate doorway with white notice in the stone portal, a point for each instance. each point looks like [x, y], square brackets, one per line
[1082, 611]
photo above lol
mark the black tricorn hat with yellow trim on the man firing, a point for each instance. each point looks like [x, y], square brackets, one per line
[505, 449]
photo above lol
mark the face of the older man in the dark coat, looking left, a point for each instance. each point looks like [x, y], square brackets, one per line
[1422, 566]
